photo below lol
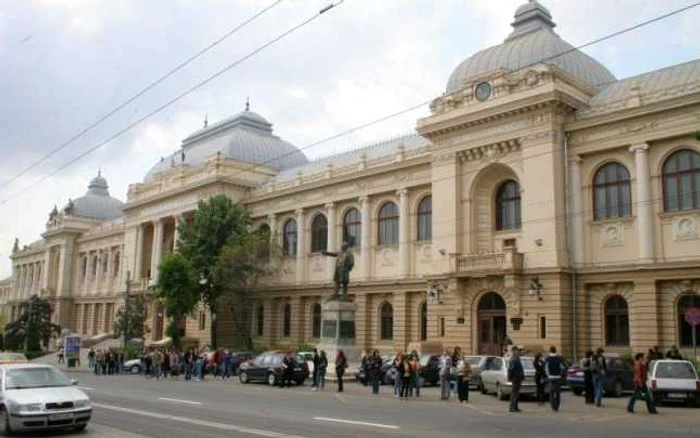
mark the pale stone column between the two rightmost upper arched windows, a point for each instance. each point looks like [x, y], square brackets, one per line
[645, 218]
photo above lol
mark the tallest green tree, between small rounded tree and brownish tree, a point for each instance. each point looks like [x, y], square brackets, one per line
[217, 222]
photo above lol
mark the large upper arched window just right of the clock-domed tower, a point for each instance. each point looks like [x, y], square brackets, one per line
[611, 192]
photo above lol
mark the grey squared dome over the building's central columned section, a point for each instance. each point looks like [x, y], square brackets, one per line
[247, 137]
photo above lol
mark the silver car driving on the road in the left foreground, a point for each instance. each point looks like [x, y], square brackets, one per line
[38, 397]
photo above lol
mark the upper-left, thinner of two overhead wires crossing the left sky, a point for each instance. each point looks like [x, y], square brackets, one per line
[140, 93]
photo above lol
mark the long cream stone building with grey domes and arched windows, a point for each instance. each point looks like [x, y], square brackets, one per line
[543, 201]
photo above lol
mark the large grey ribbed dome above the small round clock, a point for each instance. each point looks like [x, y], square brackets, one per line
[532, 41]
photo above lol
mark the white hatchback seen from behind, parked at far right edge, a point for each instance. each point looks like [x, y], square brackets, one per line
[674, 380]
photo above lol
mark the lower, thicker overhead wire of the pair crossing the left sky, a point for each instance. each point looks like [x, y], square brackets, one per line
[176, 98]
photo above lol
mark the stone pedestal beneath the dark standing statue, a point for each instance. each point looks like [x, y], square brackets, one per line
[338, 330]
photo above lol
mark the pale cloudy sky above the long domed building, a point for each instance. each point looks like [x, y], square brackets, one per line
[66, 63]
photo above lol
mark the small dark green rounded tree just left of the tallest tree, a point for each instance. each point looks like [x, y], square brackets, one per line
[178, 288]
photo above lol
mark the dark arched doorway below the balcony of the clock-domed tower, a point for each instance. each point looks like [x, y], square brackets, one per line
[491, 317]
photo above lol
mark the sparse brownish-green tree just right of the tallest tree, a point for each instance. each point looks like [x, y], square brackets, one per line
[244, 262]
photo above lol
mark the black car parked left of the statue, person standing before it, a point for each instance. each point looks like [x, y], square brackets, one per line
[267, 367]
